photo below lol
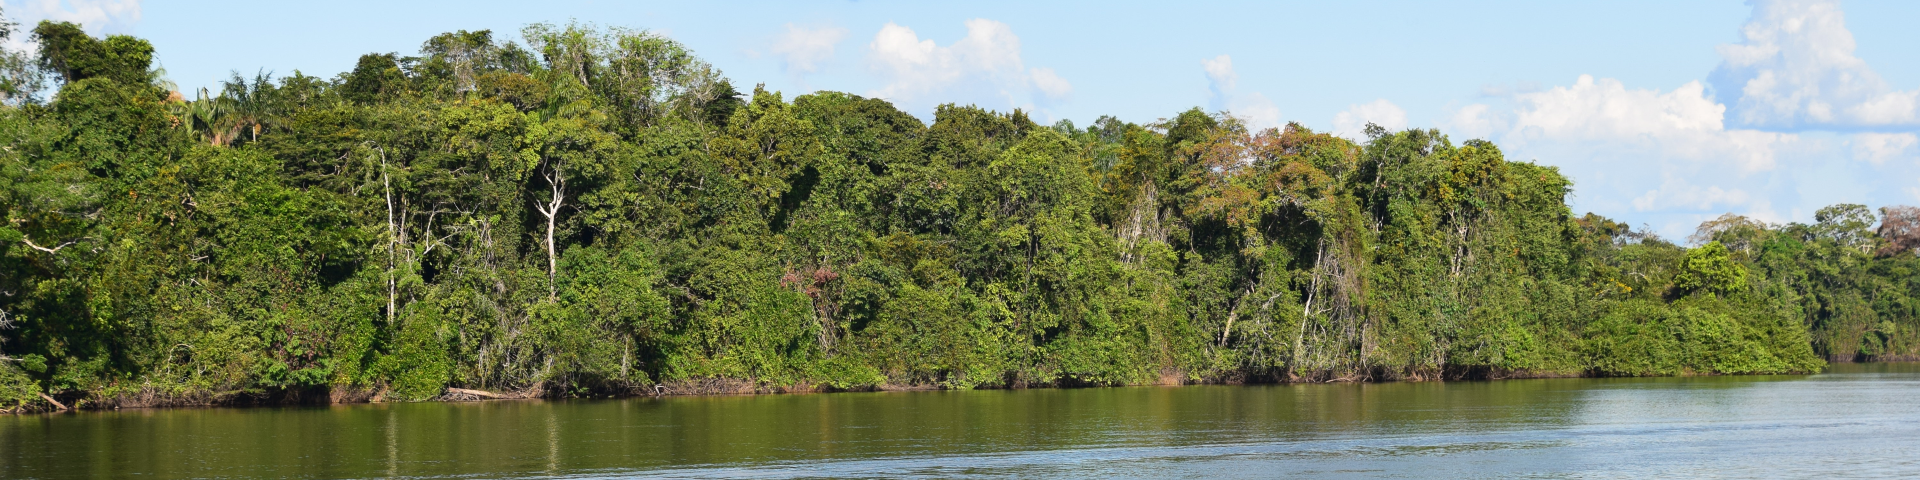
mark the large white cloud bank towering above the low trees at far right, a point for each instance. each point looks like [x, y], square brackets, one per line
[1790, 122]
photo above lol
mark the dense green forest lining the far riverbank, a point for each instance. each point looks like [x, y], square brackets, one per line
[598, 212]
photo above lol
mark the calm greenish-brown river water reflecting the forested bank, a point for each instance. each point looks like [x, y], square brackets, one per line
[1852, 421]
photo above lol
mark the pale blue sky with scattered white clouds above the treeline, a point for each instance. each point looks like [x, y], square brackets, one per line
[1664, 114]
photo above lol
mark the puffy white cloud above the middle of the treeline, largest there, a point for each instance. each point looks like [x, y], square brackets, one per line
[986, 62]
